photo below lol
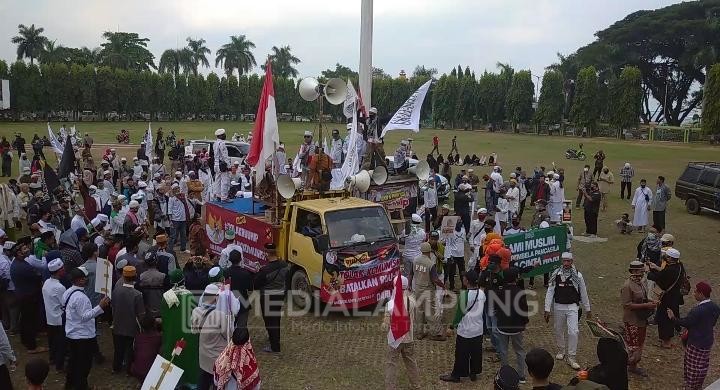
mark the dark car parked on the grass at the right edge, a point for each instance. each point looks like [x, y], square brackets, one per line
[699, 186]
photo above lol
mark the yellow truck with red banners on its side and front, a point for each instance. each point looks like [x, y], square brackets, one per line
[342, 250]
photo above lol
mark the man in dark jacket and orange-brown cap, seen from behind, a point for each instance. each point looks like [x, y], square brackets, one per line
[128, 310]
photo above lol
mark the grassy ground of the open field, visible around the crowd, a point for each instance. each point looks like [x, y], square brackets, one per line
[339, 352]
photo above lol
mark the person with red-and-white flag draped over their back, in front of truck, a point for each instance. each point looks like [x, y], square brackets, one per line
[400, 334]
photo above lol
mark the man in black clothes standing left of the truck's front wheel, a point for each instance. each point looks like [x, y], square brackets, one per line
[271, 282]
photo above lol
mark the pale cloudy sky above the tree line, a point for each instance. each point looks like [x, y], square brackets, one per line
[435, 33]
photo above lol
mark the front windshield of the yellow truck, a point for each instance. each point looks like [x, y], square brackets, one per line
[365, 224]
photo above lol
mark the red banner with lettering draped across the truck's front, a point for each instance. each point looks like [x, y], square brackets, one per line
[359, 279]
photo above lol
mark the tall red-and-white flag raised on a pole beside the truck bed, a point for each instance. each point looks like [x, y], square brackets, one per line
[265, 133]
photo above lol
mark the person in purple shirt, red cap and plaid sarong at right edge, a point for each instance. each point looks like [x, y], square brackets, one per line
[700, 324]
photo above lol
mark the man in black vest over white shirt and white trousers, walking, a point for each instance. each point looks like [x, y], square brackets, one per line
[564, 296]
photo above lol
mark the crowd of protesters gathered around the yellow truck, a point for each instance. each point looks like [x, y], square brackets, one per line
[142, 219]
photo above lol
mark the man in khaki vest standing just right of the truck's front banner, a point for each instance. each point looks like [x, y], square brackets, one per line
[424, 279]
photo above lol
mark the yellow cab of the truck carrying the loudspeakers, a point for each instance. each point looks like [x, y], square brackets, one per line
[326, 238]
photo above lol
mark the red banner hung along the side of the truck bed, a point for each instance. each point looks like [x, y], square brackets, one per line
[224, 227]
